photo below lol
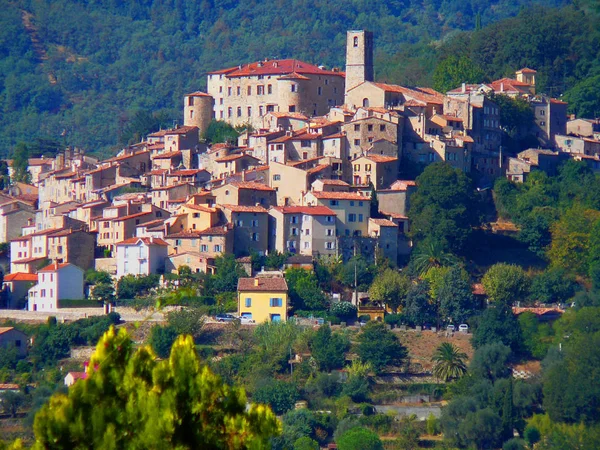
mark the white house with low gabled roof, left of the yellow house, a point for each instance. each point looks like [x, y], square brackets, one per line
[141, 256]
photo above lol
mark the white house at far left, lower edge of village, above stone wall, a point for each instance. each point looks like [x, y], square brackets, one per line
[56, 282]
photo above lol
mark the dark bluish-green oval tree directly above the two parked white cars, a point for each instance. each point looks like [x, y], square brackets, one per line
[455, 297]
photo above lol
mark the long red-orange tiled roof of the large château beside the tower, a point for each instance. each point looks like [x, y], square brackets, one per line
[275, 67]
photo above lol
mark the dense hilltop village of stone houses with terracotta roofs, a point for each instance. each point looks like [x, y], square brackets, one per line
[320, 148]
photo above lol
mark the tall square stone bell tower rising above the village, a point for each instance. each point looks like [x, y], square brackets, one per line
[359, 58]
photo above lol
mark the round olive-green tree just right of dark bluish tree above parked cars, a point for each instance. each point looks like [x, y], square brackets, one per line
[505, 284]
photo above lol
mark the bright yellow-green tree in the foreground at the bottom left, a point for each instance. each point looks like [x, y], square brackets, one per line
[131, 400]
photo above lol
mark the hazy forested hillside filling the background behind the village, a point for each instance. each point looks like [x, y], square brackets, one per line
[79, 71]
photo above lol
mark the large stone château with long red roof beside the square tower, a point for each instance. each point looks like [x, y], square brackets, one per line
[244, 94]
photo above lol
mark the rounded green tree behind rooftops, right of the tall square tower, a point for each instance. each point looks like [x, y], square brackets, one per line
[454, 70]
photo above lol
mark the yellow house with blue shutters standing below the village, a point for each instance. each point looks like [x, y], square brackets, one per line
[263, 299]
